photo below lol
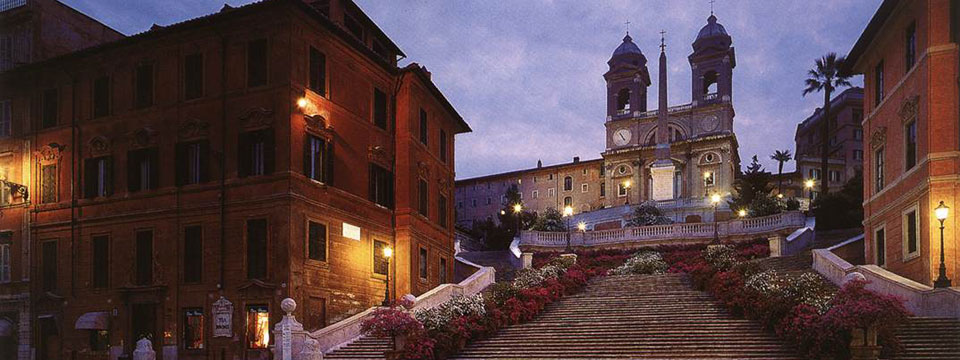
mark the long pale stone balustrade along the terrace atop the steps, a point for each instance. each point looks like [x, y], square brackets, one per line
[737, 227]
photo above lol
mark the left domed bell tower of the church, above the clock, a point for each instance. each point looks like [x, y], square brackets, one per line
[627, 81]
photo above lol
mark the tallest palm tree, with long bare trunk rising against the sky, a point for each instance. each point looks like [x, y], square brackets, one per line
[826, 77]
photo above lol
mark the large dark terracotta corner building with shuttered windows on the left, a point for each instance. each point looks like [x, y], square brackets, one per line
[182, 181]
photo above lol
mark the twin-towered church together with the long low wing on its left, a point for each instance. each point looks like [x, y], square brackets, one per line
[676, 155]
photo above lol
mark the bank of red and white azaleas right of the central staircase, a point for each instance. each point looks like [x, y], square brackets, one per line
[804, 309]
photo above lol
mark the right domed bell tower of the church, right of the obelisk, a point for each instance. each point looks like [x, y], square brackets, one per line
[712, 64]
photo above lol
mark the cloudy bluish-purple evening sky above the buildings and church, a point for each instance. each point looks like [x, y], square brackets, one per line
[527, 74]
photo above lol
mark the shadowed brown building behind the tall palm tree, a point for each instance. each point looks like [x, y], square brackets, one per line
[846, 147]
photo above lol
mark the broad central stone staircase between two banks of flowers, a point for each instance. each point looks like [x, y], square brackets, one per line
[636, 316]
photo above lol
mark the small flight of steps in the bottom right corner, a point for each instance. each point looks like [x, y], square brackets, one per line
[930, 338]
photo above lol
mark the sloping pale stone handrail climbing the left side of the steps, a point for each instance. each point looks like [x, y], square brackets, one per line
[345, 331]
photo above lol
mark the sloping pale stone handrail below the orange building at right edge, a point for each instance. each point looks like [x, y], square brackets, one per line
[920, 299]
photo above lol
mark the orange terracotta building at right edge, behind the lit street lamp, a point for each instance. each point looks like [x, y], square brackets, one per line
[908, 56]
